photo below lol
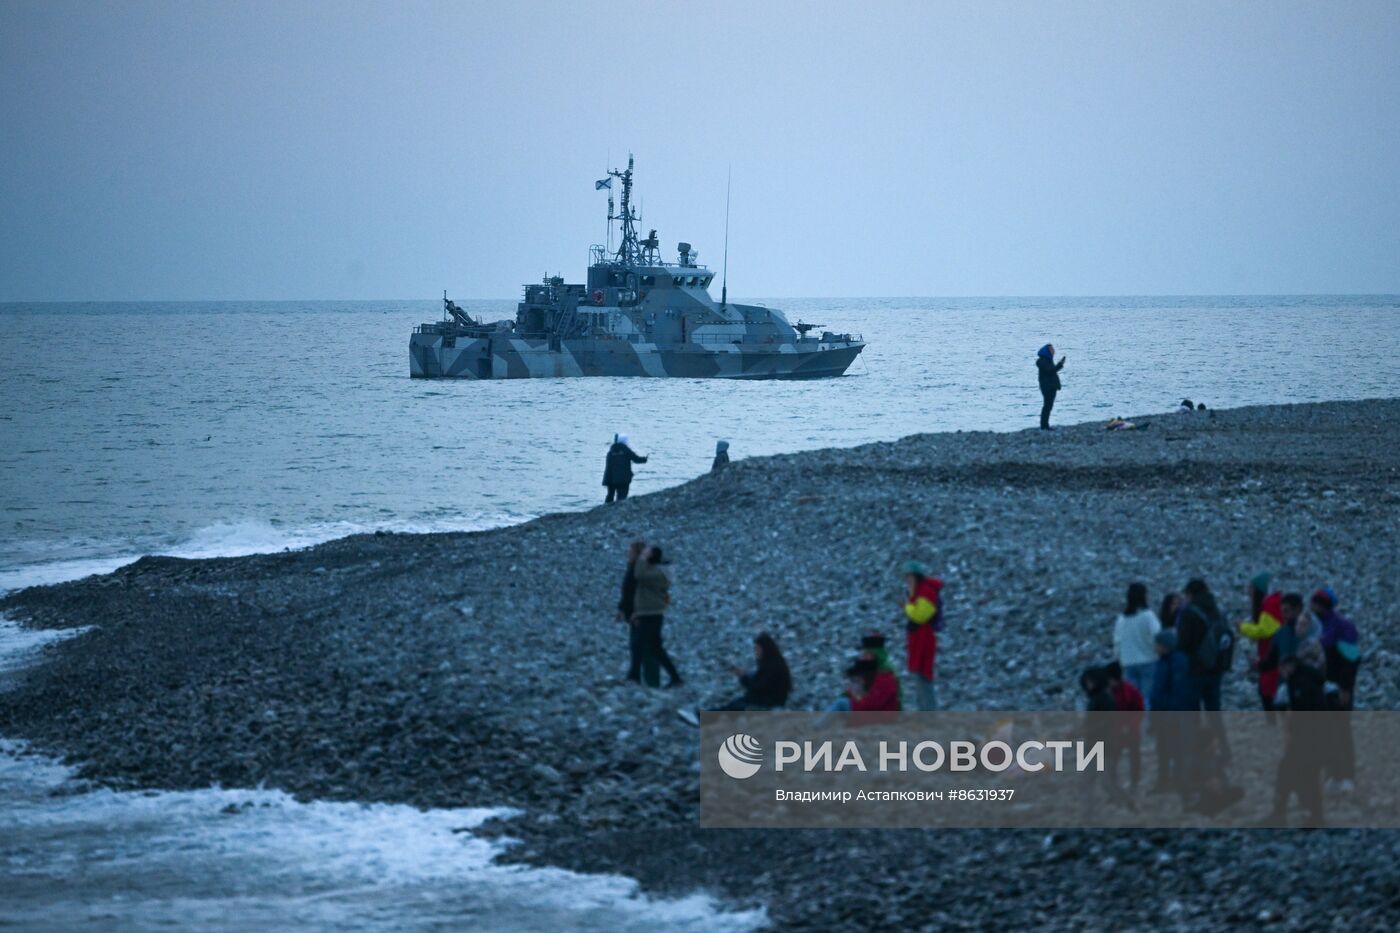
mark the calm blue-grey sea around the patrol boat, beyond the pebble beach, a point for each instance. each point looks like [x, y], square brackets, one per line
[232, 428]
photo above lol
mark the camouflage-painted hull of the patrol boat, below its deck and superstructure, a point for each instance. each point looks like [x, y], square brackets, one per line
[512, 358]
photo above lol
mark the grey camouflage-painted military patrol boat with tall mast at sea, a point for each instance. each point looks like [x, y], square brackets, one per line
[638, 316]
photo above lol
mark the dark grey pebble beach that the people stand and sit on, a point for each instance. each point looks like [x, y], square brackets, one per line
[484, 669]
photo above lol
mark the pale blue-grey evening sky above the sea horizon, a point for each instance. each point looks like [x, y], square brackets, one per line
[360, 151]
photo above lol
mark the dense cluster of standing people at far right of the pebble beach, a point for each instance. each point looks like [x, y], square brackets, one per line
[1305, 661]
